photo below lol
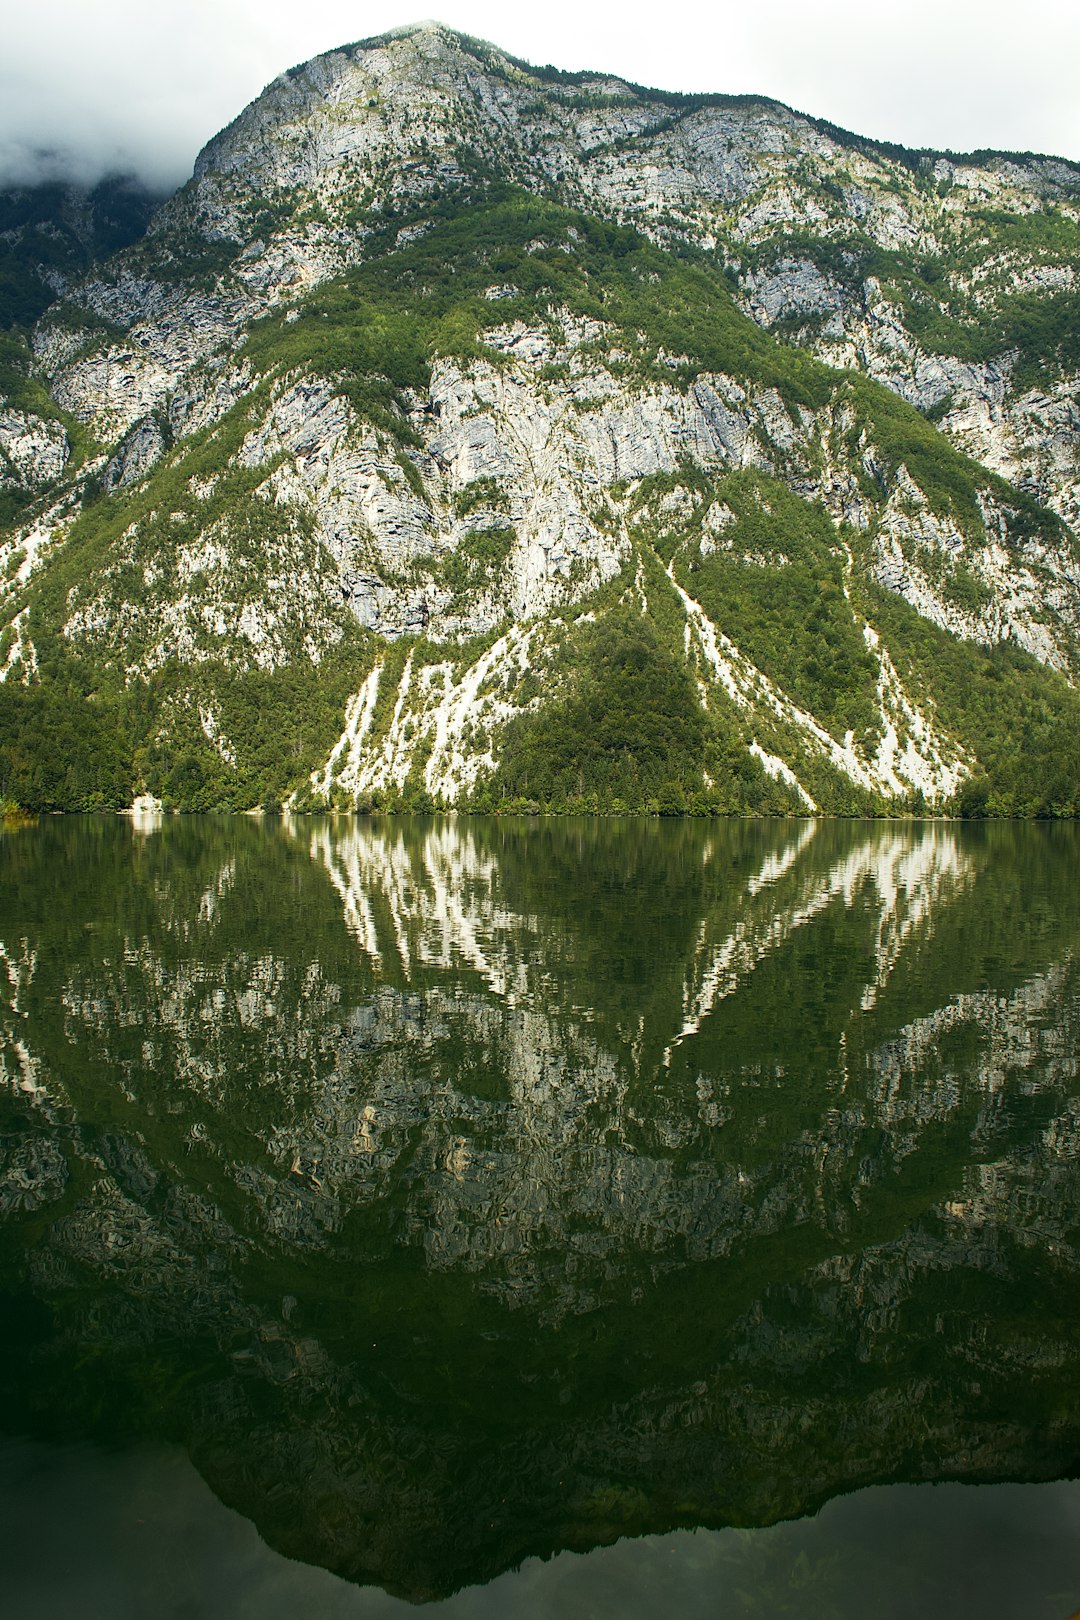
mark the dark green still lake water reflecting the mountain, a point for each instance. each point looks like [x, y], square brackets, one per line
[451, 1196]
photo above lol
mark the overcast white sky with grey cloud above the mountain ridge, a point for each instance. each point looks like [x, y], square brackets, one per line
[96, 85]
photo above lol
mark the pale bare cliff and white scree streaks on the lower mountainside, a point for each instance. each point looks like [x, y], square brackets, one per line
[555, 467]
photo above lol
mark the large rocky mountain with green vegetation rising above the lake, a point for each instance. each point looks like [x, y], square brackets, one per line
[472, 433]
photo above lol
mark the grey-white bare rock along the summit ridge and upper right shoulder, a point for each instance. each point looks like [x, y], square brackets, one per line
[386, 124]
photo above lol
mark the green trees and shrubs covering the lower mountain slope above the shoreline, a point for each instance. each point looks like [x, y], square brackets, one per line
[145, 680]
